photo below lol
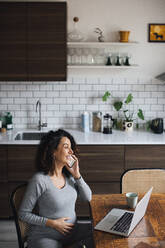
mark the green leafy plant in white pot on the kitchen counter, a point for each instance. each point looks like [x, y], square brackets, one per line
[123, 105]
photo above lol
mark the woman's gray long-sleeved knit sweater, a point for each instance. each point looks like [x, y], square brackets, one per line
[52, 202]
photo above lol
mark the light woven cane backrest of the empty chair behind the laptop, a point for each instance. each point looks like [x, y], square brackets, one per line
[140, 180]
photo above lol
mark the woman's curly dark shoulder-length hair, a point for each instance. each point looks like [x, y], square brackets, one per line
[48, 144]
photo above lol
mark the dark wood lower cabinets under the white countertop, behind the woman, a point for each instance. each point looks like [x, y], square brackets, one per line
[101, 166]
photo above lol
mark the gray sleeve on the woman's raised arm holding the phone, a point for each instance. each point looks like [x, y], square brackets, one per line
[84, 192]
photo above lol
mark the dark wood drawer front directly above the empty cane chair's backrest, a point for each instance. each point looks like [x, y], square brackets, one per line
[147, 156]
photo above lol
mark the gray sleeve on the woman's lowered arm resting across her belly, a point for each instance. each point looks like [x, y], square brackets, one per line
[34, 190]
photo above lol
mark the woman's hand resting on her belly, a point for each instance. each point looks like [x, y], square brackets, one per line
[60, 225]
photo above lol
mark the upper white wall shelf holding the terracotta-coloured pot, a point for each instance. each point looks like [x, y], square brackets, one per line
[100, 44]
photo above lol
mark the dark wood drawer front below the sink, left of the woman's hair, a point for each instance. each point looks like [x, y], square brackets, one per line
[21, 162]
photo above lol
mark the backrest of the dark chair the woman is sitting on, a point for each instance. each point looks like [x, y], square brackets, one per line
[15, 201]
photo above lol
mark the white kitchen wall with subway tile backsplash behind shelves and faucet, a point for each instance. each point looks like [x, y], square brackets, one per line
[63, 102]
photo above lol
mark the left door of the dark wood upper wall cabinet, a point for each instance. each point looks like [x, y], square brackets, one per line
[13, 28]
